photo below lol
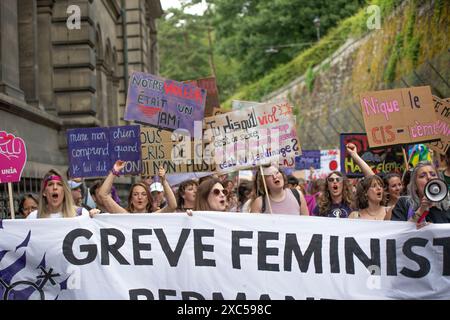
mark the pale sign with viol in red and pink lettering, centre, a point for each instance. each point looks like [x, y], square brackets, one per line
[254, 136]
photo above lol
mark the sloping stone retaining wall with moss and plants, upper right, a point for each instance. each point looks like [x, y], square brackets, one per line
[327, 98]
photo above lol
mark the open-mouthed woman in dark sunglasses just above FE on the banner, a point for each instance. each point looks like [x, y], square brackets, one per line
[211, 196]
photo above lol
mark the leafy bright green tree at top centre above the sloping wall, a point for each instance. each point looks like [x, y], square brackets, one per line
[245, 29]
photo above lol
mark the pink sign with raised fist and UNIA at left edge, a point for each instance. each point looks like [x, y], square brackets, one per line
[13, 156]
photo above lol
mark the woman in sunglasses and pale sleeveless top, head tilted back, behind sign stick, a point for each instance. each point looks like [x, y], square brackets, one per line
[282, 200]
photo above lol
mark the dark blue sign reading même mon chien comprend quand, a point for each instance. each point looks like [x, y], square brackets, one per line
[93, 151]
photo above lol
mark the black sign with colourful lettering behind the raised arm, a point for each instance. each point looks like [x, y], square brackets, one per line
[381, 160]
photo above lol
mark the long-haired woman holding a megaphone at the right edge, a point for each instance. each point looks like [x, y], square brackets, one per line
[427, 202]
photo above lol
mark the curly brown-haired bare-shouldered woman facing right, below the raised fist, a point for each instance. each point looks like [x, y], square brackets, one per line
[369, 199]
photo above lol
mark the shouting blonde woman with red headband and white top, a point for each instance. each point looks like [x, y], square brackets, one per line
[55, 199]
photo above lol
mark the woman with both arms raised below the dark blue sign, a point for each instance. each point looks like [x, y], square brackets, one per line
[139, 198]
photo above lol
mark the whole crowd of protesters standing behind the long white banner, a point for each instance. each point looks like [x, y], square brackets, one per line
[391, 196]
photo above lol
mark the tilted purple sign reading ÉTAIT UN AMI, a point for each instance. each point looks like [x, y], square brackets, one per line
[164, 103]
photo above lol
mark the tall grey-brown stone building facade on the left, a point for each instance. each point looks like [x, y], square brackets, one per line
[56, 75]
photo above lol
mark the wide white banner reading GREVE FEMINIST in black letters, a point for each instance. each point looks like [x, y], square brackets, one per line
[214, 255]
